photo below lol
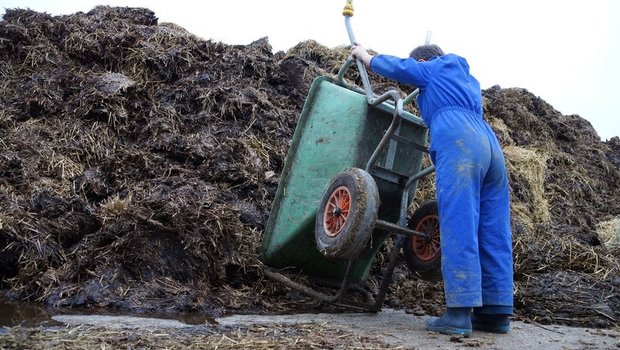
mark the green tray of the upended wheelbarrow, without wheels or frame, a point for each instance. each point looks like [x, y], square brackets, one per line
[337, 130]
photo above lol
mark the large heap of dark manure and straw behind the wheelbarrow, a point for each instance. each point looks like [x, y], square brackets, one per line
[139, 162]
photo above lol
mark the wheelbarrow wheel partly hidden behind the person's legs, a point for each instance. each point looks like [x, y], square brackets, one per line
[423, 255]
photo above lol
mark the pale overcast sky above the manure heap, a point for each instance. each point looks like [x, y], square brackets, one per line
[567, 52]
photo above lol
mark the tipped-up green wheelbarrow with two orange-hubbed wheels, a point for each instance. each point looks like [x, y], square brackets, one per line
[349, 177]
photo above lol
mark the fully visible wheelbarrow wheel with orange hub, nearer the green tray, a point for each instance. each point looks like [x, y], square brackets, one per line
[347, 214]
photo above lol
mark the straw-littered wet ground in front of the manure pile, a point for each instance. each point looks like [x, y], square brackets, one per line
[389, 329]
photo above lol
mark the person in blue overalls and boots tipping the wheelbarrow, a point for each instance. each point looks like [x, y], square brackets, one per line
[472, 189]
